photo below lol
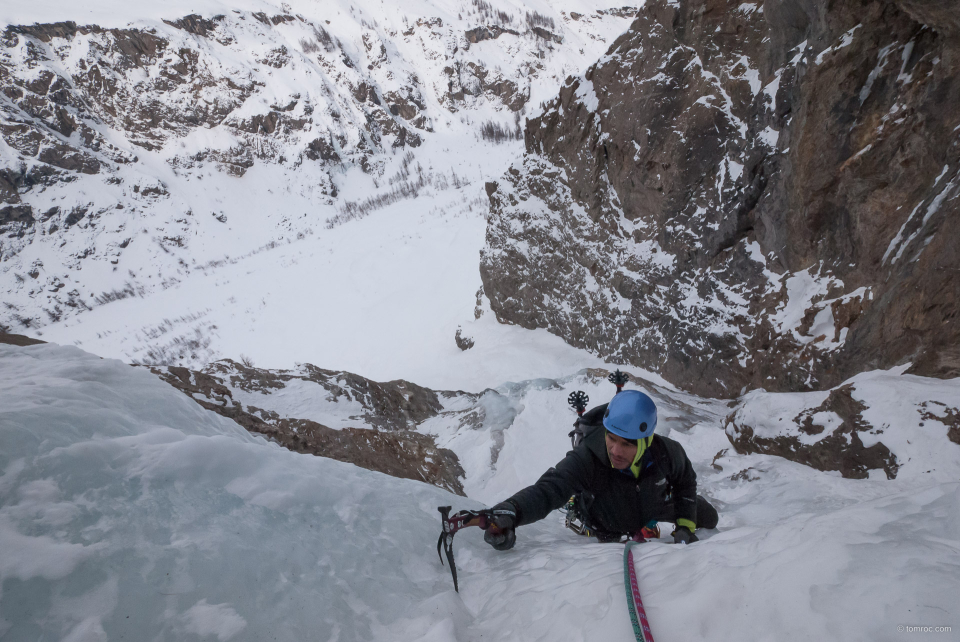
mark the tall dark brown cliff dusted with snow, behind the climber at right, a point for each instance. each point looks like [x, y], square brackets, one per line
[745, 195]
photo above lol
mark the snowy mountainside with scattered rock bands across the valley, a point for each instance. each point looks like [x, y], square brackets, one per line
[145, 147]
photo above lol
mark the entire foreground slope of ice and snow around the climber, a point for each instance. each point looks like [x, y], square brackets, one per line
[128, 511]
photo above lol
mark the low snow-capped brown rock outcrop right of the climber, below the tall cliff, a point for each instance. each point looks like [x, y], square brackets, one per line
[877, 424]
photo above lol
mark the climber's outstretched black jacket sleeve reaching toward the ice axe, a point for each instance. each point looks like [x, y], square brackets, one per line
[554, 487]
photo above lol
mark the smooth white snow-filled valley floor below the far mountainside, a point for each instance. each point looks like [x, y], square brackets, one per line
[381, 296]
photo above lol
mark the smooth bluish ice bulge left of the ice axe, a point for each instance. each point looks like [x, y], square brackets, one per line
[128, 510]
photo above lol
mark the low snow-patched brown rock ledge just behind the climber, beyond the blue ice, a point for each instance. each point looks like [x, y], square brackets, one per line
[395, 427]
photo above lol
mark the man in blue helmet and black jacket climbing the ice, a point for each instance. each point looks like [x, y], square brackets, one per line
[625, 478]
